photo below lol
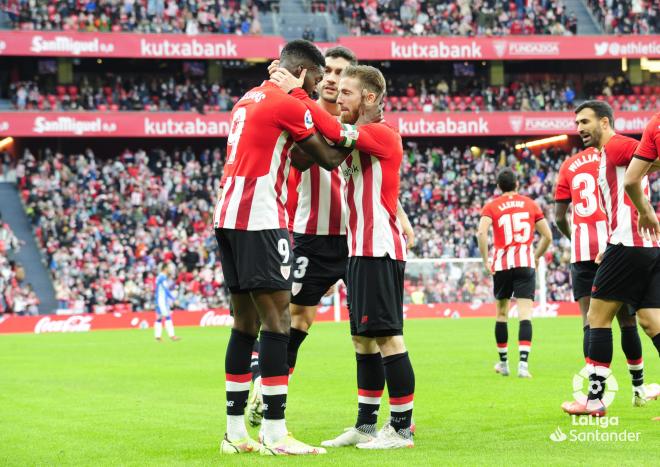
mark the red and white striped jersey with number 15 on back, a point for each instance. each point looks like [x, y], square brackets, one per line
[514, 219]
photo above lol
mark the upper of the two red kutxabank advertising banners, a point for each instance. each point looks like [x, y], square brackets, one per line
[218, 46]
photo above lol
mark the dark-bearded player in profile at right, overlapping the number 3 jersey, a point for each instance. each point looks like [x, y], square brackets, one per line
[629, 272]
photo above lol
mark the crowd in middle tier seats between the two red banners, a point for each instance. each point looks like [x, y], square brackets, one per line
[422, 95]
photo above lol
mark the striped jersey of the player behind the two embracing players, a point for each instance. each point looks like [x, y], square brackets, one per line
[321, 208]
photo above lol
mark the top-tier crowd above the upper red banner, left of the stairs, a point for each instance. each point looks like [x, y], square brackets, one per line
[146, 16]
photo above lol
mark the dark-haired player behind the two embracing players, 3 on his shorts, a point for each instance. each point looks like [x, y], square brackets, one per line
[319, 230]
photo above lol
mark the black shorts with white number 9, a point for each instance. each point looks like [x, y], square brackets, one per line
[254, 260]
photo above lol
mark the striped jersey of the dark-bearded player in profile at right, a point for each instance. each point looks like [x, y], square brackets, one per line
[621, 212]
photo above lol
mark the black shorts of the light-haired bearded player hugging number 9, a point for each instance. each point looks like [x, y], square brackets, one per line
[375, 296]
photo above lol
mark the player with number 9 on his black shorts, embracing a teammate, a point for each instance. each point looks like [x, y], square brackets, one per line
[251, 230]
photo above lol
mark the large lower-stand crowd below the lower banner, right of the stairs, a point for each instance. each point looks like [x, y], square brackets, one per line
[106, 224]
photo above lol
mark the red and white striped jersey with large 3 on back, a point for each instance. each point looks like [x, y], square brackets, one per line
[577, 184]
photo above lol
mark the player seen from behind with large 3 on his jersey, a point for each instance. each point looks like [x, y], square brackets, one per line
[577, 185]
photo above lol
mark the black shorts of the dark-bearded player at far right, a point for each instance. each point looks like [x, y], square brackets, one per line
[630, 275]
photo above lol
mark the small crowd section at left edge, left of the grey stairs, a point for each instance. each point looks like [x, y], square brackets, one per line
[16, 295]
